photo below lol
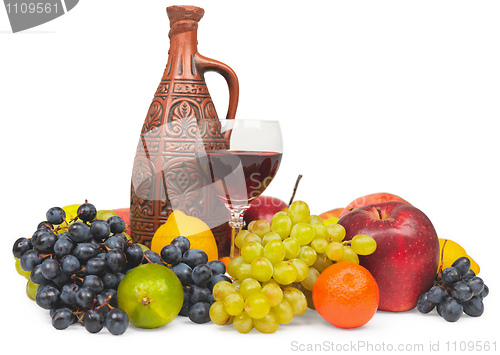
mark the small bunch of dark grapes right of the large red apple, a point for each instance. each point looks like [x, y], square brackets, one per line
[456, 290]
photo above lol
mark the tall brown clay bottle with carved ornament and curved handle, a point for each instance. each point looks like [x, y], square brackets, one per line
[165, 174]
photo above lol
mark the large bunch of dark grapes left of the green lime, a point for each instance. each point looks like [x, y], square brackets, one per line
[78, 265]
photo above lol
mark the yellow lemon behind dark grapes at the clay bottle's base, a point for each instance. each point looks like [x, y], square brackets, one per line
[179, 224]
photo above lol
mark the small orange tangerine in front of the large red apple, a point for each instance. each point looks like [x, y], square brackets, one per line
[346, 295]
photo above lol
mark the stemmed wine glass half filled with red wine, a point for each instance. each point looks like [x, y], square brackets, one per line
[243, 167]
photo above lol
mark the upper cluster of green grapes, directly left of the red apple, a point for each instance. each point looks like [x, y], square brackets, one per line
[294, 248]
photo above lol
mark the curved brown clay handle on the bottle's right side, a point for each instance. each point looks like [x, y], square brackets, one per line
[207, 64]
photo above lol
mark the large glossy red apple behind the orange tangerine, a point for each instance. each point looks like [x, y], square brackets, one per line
[405, 261]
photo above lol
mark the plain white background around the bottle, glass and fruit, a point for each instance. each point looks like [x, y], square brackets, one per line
[397, 96]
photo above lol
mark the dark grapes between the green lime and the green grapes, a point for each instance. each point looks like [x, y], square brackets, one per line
[197, 275]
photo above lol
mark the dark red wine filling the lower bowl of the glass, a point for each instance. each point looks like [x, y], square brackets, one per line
[240, 176]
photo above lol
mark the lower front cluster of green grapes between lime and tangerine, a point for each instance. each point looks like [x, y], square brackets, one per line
[249, 303]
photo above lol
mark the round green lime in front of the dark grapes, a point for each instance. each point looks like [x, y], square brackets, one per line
[151, 295]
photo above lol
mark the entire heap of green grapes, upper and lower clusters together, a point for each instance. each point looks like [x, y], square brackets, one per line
[276, 259]
